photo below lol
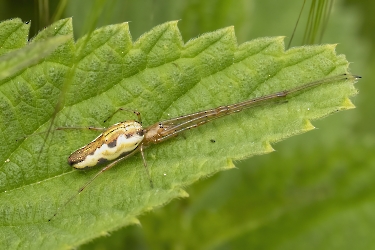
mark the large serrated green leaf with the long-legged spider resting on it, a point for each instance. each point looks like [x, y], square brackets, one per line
[161, 77]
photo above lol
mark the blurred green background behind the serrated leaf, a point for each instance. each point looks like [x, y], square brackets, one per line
[316, 191]
